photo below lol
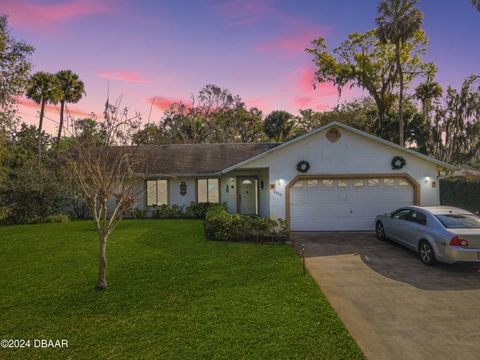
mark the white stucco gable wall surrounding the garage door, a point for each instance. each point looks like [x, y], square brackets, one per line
[352, 153]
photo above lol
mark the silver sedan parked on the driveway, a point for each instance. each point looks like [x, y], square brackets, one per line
[439, 233]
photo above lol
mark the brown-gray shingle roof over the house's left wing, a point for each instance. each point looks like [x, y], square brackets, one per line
[198, 159]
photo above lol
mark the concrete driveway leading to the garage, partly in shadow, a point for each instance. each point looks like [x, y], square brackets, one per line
[393, 305]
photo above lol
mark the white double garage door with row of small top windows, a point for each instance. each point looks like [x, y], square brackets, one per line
[345, 204]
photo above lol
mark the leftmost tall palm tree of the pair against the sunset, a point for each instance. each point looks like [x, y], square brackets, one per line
[43, 88]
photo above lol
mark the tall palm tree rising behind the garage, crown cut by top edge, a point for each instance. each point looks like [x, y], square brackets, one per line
[398, 21]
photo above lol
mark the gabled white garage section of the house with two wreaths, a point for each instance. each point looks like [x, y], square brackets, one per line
[338, 178]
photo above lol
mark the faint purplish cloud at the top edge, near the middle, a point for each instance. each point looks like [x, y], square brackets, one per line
[239, 12]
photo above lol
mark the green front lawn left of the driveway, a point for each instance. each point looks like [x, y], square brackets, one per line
[172, 294]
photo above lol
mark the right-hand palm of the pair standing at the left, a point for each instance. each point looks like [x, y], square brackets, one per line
[72, 90]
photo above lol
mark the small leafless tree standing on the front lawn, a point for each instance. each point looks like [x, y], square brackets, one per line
[106, 171]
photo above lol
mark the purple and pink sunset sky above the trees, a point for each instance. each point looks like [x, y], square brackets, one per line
[171, 49]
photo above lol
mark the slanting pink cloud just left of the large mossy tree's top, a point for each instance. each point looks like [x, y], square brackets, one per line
[292, 44]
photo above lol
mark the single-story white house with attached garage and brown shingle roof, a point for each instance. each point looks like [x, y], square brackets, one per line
[332, 179]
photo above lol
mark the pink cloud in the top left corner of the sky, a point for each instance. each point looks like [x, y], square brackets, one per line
[26, 13]
